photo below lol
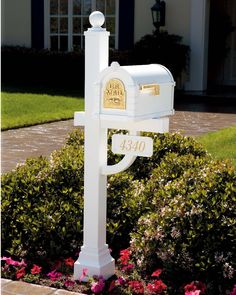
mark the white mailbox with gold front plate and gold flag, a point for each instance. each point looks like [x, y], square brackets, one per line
[135, 92]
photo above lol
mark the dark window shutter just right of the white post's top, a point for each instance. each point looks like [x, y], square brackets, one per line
[126, 24]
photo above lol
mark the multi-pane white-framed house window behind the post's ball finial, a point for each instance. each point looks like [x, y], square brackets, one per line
[66, 21]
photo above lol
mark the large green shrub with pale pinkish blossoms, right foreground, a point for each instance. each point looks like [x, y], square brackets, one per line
[190, 229]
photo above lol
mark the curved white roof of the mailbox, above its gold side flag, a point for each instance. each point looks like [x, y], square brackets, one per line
[148, 74]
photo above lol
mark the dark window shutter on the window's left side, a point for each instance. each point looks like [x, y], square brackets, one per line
[37, 23]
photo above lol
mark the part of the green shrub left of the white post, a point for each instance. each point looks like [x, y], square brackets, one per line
[42, 206]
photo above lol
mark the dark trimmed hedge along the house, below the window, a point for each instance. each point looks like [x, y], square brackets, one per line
[26, 67]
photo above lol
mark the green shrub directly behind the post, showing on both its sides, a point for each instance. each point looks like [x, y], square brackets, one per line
[42, 205]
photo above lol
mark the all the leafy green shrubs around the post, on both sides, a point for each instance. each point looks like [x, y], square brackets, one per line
[178, 205]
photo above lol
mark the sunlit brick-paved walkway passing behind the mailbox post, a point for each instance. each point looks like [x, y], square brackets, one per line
[19, 144]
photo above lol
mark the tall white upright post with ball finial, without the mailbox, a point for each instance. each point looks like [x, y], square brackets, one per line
[95, 255]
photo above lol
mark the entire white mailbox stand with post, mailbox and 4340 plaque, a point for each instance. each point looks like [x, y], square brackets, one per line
[133, 98]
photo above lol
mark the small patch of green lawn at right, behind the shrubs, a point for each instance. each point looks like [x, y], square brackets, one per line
[221, 144]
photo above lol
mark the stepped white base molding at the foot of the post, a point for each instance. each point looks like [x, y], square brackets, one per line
[96, 261]
